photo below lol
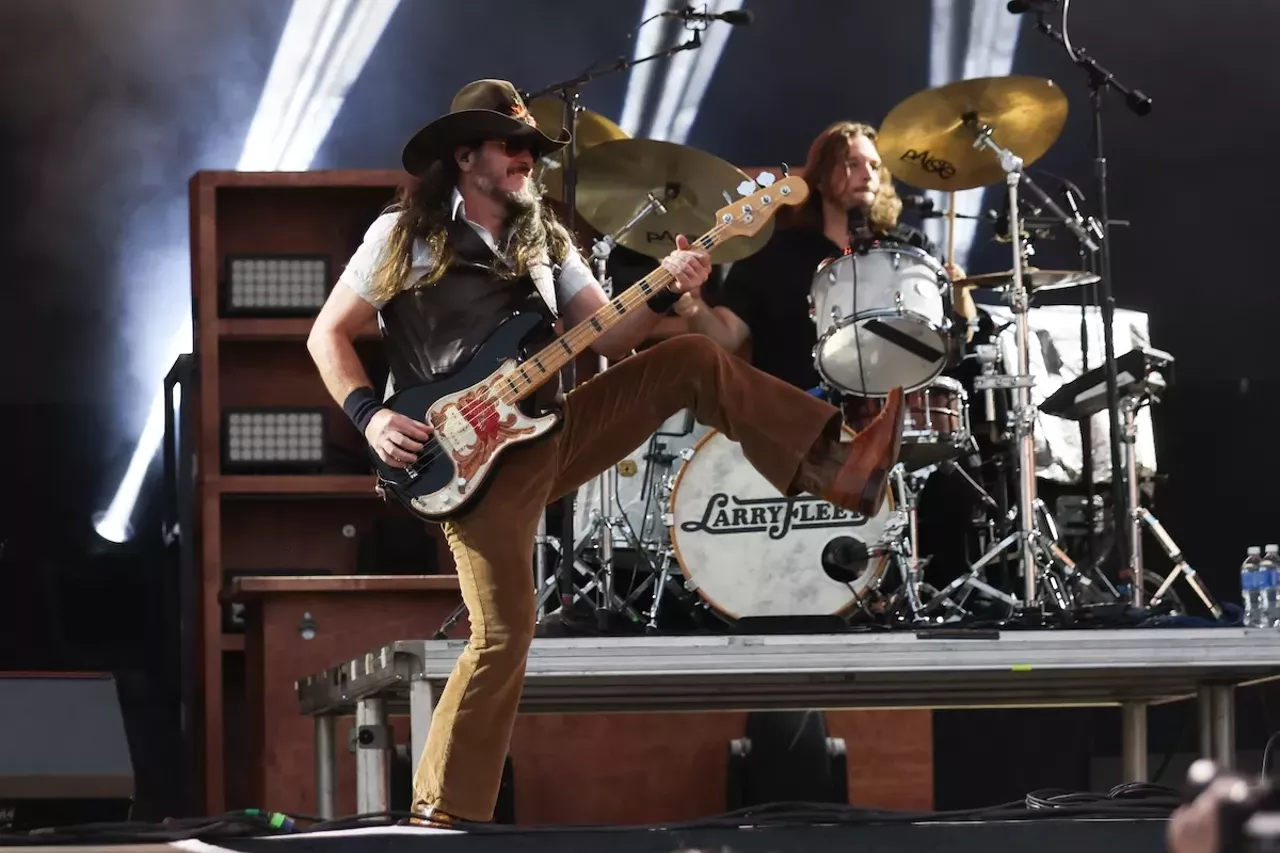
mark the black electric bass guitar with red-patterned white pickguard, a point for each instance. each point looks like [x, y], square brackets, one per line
[476, 413]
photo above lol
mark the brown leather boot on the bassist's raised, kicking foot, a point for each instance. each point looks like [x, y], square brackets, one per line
[854, 475]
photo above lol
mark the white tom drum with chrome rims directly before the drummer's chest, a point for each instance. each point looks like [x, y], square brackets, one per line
[884, 321]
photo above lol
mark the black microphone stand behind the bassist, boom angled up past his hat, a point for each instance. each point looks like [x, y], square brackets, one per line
[568, 92]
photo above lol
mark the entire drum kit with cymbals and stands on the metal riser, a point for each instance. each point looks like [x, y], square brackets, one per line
[693, 523]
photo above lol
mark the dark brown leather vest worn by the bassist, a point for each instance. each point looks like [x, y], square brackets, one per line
[432, 332]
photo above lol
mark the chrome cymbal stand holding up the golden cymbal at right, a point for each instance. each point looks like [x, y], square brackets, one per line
[1034, 546]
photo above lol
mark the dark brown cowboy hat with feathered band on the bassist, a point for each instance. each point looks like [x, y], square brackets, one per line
[487, 110]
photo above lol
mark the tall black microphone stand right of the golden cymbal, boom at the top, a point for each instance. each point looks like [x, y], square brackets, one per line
[1101, 80]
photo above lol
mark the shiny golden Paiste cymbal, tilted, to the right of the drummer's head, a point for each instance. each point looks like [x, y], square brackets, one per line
[927, 142]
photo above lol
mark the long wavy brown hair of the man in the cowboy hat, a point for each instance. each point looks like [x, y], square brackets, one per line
[424, 207]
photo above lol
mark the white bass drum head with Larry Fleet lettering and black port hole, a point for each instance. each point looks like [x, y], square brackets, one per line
[749, 551]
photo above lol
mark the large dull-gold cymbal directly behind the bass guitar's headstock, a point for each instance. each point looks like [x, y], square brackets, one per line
[615, 180]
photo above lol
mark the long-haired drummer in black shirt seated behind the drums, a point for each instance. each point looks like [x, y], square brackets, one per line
[765, 299]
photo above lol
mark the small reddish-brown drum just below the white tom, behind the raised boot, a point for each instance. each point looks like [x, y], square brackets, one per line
[936, 426]
